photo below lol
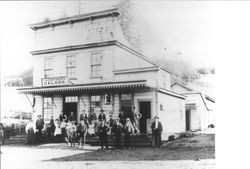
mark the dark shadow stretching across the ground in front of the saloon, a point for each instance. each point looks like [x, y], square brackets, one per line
[194, 148]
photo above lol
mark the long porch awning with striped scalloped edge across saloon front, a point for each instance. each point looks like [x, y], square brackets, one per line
[84, 87]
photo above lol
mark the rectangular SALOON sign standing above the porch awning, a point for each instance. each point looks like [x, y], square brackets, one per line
[55, 81]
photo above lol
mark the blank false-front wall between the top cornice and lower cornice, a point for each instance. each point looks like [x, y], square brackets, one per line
[98, 30]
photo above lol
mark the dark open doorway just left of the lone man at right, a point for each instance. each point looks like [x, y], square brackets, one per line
[145, 110]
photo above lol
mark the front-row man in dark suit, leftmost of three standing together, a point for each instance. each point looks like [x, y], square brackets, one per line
[103, 134]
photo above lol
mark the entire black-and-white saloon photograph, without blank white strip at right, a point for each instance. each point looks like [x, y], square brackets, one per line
[109, 84]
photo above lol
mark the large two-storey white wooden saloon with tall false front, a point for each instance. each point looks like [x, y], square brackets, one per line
[84, 62]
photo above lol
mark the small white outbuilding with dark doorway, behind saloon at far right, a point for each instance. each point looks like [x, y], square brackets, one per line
[199, 107]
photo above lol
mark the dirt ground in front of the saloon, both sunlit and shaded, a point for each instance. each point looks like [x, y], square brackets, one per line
[186, 153]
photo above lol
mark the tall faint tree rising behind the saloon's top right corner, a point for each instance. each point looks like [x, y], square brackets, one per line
[126, 21]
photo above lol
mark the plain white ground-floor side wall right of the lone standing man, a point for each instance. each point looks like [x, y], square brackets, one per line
[173, 114]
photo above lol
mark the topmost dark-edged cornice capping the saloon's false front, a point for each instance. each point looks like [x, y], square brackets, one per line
[76, 18]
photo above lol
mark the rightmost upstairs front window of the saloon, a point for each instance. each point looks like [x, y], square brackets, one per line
[96, 59]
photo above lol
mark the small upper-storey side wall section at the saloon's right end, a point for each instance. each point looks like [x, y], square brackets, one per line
[164, 79]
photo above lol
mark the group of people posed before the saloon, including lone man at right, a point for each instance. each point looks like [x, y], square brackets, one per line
[126, 124]
